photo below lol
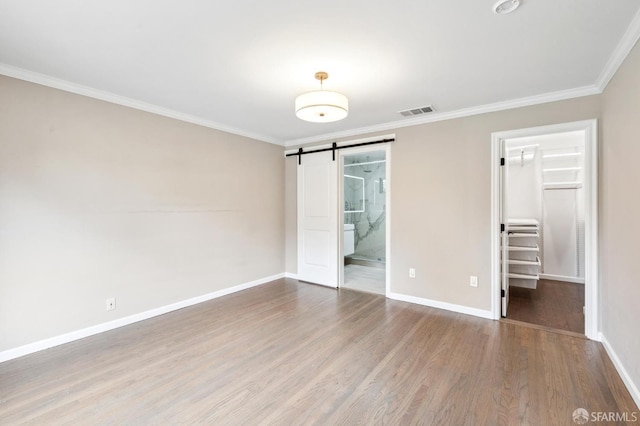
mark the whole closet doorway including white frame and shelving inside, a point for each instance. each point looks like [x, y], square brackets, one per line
[547, 226]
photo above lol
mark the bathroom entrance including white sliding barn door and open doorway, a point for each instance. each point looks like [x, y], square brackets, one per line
[321, 214]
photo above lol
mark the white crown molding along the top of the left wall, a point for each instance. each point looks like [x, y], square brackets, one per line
[67, 86]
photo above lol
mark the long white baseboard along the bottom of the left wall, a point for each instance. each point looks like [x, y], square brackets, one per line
[121, 322]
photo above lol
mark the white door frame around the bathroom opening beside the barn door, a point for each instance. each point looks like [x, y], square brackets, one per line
[387, 220]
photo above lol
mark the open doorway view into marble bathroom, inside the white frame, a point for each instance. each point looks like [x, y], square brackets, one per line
[364, 188]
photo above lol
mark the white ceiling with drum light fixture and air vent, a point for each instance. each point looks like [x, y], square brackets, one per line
[238, 65]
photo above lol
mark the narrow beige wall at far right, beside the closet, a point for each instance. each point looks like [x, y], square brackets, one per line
[620, 214]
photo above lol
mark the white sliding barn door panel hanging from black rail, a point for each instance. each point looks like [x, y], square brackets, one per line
[318, 219]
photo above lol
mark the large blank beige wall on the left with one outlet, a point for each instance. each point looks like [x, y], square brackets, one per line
[99, 200]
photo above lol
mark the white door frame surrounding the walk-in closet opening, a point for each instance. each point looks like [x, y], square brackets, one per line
[590, 128]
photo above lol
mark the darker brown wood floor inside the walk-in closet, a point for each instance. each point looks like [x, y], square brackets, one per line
[554, 304]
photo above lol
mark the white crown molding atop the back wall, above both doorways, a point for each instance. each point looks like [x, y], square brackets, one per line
[465, 112]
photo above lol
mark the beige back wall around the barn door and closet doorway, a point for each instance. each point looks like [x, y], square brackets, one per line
[441, 200]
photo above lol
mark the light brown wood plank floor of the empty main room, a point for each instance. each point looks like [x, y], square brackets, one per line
[293, 353]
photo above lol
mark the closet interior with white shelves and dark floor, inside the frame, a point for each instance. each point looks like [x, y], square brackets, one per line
[544, 199]
